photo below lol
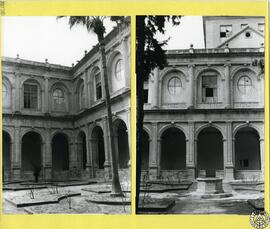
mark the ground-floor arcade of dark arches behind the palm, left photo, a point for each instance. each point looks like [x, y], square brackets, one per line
[56, 159]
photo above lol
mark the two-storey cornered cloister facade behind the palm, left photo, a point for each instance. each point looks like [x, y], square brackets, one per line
[55, 118]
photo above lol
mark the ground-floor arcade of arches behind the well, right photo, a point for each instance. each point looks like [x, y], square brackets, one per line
[209, 154]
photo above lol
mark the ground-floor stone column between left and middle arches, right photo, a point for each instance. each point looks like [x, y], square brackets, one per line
[190, 152]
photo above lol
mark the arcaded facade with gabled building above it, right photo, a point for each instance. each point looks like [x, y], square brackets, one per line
[204, 112]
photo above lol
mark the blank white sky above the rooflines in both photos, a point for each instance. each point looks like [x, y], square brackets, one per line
[45, 37]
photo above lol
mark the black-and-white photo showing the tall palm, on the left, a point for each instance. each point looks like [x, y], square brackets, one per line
[66, 115]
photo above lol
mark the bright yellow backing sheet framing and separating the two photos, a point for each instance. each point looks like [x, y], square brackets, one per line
[132, 8]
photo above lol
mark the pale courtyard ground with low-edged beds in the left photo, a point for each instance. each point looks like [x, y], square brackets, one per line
[79, 204]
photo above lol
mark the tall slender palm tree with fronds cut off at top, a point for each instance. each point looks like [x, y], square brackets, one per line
[95, 24]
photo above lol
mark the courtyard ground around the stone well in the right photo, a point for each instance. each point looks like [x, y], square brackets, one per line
[187, 203]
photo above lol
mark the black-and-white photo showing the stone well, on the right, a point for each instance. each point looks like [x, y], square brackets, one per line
[200, 114]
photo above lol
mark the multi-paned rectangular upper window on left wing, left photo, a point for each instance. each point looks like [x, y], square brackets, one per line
[30, 96]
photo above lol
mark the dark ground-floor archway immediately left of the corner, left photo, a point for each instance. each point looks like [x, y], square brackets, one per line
[60, 152]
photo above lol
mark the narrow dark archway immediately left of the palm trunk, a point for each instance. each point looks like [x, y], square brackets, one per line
[98, 147]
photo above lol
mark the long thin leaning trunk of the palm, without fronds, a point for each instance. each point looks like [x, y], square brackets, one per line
[116, 187]
